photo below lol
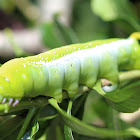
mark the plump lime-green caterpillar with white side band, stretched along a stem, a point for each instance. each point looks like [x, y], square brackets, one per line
[67, 67]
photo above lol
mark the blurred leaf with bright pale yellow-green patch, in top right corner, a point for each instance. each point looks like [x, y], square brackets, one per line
[116, 10]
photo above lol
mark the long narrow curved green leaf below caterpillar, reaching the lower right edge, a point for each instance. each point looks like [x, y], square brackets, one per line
[88, 130]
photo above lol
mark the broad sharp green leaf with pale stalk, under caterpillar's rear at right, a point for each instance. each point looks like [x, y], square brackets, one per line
[125, 99]
